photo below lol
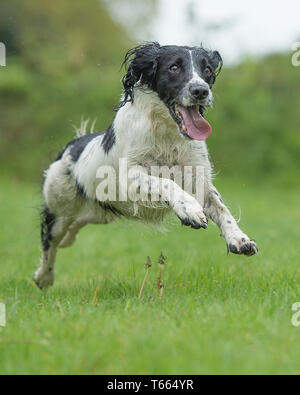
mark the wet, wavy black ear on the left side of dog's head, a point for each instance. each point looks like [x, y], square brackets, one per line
[141, 65]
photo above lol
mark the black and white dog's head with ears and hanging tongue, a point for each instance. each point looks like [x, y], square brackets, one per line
[181, 76]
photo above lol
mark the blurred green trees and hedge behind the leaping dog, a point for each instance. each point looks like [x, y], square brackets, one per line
[64, 64]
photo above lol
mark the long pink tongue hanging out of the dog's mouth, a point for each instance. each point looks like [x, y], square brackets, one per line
[197, 127]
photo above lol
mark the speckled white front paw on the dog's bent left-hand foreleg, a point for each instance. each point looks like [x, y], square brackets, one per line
[191, 214]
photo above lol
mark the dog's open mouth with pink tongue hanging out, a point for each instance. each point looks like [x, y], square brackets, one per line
[191, 122]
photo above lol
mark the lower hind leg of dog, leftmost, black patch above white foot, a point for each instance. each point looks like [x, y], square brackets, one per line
[53, 231]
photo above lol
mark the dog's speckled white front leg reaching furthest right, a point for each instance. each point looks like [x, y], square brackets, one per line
[237, 241]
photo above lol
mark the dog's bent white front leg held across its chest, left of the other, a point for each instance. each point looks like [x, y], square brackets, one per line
[186, 207]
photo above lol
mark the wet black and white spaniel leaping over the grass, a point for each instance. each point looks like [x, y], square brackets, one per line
[160, 122]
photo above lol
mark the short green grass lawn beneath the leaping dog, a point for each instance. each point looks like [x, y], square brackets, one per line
[219, 314]
